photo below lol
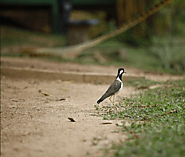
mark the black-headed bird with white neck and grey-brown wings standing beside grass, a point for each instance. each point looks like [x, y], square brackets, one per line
[114, 88]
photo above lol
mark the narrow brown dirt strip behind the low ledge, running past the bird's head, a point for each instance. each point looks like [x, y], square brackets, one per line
[74, 67]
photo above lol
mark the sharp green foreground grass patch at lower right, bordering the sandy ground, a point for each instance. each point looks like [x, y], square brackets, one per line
[157, 122]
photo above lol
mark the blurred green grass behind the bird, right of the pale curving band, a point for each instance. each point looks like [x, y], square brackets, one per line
[155, 58]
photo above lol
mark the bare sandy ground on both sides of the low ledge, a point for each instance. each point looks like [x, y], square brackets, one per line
[34, 113]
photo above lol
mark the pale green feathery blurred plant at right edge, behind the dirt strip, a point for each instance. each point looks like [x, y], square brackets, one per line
[170, 54]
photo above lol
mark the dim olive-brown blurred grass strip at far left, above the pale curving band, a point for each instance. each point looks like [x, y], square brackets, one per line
[19, 37]
